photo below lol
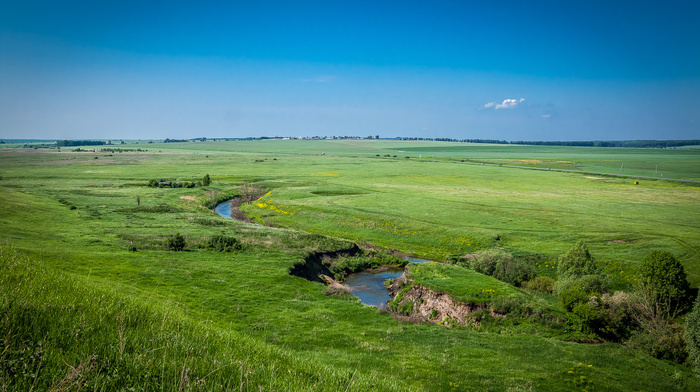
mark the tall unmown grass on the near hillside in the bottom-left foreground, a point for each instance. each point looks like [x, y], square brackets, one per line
[62, 333]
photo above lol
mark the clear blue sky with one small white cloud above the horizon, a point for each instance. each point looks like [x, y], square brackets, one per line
[514, 70]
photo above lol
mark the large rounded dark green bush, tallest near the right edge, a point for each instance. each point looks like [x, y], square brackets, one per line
[663, 281]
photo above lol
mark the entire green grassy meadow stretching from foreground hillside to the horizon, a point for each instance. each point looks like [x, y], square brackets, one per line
[92, 299]
